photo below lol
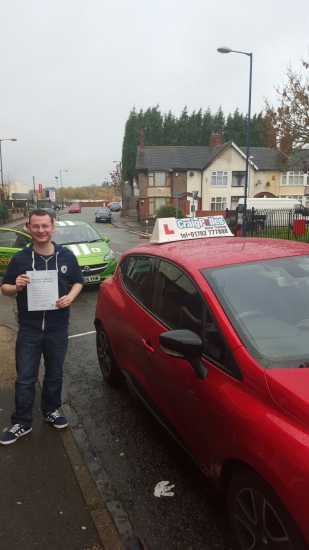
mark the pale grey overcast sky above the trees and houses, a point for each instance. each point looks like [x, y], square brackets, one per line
[71, 71]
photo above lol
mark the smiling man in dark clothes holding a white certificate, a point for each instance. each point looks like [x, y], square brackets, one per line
[40, 331]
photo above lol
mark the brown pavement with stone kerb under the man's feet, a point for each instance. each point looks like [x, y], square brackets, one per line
[49, 499]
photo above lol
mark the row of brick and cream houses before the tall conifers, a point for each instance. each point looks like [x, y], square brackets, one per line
[217, 172]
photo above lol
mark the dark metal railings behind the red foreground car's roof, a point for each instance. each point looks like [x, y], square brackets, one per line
[278, 223]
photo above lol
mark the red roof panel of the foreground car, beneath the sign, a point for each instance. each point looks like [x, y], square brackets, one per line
[199, 254]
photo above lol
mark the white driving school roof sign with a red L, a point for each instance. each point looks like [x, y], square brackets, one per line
[169, 229]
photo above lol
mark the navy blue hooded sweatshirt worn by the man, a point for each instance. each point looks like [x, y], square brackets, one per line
[69, 273]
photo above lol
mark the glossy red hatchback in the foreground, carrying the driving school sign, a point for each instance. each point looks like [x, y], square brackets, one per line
[213, 334]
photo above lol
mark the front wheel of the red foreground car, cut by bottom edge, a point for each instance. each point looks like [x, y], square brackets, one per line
[258, 517]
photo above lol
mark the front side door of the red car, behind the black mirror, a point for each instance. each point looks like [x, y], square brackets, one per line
[192, 408]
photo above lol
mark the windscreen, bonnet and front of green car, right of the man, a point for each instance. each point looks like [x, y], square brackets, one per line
[93, 254]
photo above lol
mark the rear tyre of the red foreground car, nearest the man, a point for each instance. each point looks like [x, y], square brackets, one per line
[107, 362]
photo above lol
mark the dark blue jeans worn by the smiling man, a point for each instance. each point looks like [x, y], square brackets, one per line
[31, 343]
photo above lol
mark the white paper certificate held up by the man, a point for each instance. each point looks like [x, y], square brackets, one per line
[42, 291]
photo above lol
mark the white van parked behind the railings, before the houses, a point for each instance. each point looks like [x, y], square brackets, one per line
[262, 204]
